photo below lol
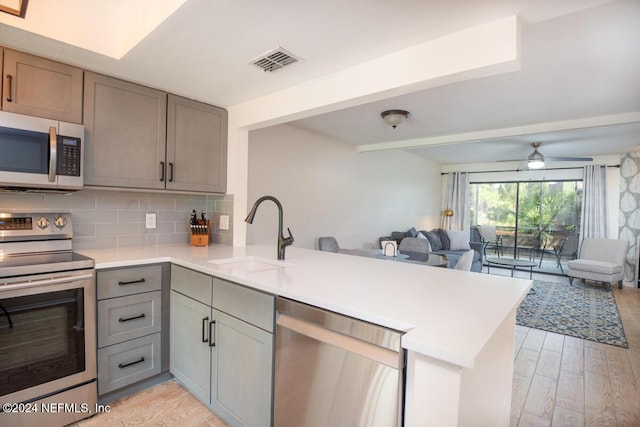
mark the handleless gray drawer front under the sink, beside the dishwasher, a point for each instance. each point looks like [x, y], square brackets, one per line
[254, 307]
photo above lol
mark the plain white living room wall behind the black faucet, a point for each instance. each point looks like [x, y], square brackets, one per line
[327, 188]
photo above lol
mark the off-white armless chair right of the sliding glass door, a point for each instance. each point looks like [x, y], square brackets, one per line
[600, 260]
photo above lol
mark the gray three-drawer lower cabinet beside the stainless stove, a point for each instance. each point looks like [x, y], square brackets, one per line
[130, 318]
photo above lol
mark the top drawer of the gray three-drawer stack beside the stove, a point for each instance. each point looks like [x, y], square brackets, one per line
[128, 281]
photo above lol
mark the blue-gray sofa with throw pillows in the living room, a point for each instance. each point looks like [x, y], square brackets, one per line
[441, 245]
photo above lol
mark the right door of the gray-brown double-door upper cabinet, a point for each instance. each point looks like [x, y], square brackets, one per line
[196, 146]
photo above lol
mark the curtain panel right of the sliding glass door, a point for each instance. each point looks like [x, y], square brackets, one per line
[594, 202]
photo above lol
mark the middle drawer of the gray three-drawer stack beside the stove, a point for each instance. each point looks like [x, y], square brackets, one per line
[126, 318]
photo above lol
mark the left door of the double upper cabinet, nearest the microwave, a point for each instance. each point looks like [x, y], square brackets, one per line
[125, 133]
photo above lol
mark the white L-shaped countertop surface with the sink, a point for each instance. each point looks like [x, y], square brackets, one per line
[446, 314]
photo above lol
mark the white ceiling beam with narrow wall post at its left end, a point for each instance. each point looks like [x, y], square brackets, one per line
[476, 52]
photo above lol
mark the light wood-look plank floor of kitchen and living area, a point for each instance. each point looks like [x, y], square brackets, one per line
[558, 381]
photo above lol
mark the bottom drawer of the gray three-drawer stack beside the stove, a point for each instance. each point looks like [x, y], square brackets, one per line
[132, 361]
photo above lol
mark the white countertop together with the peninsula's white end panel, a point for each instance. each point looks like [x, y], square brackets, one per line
[459, 326]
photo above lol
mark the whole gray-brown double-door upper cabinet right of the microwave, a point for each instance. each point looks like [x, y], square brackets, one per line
[139, 137]
